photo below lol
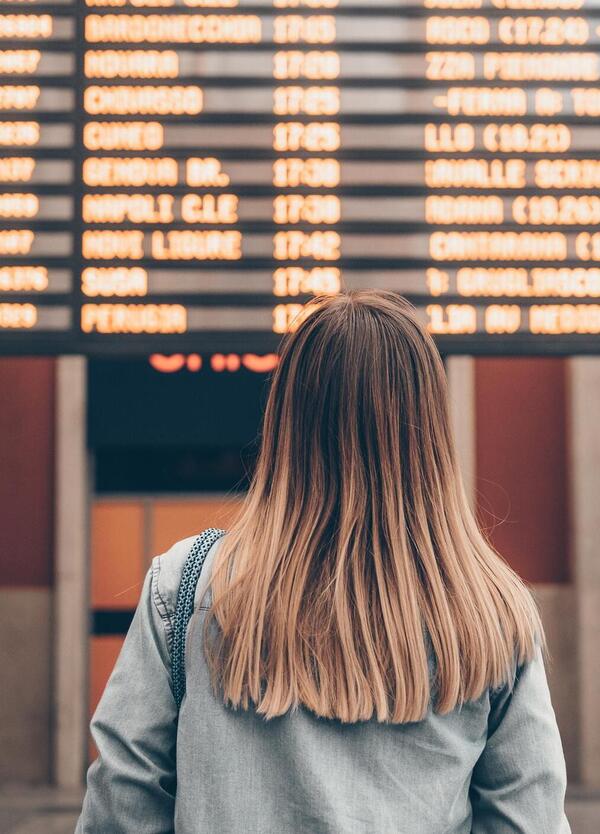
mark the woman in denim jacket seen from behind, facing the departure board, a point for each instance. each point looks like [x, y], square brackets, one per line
[360, 661]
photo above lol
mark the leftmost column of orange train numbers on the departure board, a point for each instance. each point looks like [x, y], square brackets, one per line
[37, 171]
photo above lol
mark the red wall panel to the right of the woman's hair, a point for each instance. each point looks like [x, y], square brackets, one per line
[521, 462]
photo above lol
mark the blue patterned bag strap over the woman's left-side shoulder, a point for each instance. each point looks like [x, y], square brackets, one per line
[185, 605]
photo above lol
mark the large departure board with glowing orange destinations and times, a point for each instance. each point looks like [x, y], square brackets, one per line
[184, 175]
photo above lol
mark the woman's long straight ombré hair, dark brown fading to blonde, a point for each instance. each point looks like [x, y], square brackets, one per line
[356, 557]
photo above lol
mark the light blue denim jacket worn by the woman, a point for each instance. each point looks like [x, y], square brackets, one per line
[496, 766]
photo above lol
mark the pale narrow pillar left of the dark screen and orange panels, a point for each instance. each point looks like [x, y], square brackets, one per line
[71, 574]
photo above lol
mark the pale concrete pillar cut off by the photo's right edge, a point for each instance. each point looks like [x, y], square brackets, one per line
[585, 513]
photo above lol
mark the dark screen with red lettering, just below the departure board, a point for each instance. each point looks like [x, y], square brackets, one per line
[174, 426]
